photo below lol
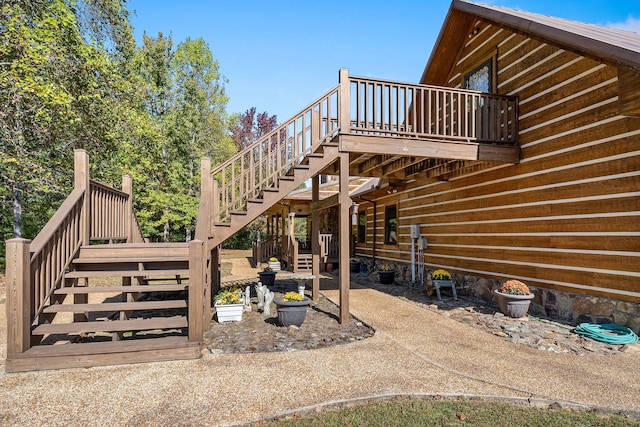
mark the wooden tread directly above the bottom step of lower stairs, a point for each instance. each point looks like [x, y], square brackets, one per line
[176, 322]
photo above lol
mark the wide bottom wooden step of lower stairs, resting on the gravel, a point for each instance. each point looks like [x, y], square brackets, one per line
[82, 355]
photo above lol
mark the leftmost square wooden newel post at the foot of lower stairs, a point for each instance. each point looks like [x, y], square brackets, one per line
[18, 296]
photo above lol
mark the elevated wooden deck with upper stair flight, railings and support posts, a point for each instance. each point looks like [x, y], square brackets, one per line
[397, 132]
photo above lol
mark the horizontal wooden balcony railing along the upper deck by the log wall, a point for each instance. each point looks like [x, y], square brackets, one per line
[386, 108]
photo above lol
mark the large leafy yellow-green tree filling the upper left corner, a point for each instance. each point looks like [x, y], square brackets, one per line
[60, 88]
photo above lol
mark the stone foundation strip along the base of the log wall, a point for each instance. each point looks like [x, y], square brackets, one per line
[551, 303]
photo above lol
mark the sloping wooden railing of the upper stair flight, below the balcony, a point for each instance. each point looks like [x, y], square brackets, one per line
[259, 165]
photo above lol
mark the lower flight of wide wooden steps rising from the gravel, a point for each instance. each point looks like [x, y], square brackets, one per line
[120, 303]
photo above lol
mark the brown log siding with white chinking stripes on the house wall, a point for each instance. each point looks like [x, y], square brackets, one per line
[567, 216]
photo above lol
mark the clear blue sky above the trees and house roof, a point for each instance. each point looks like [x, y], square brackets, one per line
[280, 55]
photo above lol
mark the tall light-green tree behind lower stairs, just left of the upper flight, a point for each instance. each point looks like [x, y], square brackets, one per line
[185, 96]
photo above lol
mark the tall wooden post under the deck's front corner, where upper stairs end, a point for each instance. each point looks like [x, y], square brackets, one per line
[345, 232]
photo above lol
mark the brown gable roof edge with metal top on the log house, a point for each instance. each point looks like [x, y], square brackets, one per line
[614, 45]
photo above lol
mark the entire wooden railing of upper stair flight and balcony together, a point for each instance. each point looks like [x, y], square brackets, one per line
[364, 106]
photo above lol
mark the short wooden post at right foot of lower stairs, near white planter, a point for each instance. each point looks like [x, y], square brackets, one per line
[196, 290]
